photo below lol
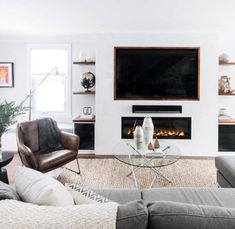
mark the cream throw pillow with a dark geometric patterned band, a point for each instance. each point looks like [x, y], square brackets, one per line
[82, 195]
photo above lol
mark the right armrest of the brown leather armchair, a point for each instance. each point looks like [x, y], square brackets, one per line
[70, 141]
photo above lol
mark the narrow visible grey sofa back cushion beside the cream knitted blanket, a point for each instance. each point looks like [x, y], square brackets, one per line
[132, 215]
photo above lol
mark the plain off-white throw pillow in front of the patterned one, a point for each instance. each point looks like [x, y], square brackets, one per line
[38, 188]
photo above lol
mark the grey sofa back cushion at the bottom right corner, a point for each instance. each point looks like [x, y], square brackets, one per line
[171, 215]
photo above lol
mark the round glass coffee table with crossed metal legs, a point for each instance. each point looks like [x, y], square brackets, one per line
[127, 153]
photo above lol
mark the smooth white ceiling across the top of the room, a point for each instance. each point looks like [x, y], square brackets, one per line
[72, 17]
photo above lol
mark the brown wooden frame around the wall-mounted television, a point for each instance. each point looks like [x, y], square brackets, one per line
[197, 98]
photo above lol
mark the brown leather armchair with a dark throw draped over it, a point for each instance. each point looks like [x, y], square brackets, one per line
[28, 149]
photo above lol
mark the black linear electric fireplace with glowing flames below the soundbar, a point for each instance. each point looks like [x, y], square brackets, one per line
[164, 127]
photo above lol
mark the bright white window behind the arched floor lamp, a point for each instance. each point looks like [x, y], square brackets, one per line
[52, 97]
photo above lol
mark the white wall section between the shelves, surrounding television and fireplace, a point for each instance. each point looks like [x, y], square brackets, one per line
[204, 112]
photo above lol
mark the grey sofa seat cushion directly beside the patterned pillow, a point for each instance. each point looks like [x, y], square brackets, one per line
[120, 195]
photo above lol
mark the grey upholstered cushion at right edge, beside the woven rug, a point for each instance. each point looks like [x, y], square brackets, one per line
[225, 164]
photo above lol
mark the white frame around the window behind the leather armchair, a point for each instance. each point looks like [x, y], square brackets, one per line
[62, 117]
